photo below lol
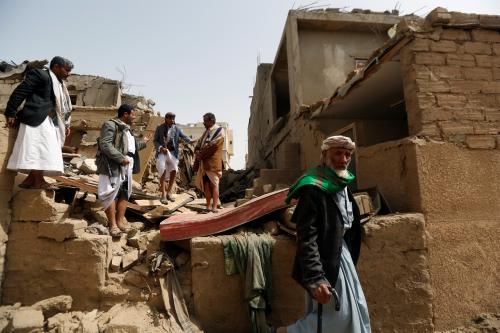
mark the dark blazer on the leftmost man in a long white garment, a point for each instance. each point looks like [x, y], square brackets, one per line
[37, 90]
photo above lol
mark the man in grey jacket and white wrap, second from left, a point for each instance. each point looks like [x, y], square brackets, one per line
[117, 158]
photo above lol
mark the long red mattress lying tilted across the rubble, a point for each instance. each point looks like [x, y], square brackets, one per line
[185, 226]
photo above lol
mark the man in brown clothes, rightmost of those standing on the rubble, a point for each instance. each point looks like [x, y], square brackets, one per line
[208, 153]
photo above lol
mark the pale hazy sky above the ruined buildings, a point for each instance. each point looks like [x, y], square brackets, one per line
[190, 57]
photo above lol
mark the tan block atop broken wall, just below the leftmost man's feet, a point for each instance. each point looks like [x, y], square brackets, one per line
[37, 205]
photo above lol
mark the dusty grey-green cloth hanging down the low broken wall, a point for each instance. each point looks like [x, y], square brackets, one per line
[250, 255]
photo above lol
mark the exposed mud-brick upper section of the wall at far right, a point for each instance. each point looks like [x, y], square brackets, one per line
[452, 86]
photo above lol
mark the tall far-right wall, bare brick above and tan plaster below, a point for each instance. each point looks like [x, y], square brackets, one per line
[452, 90]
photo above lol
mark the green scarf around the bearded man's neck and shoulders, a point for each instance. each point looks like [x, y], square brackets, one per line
[323, 177]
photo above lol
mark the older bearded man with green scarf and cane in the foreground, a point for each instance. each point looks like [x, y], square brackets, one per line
[328, 245]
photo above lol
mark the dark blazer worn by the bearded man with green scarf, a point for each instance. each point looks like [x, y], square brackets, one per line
[319, 238]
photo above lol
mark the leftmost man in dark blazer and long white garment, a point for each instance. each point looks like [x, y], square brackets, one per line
[44, 123]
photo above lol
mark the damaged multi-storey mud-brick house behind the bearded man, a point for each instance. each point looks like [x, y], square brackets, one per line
[422, 100]
